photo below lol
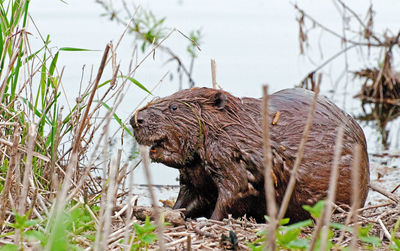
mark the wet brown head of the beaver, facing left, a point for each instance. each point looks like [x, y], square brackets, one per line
[176, 127]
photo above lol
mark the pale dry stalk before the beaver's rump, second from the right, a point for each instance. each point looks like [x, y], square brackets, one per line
[332, 188]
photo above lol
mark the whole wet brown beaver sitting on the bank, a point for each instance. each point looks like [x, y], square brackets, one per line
[215, 141]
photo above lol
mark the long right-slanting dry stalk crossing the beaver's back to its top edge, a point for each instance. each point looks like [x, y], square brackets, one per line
[300, 152]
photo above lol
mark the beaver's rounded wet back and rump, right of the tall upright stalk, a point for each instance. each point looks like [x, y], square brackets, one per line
[313, 174]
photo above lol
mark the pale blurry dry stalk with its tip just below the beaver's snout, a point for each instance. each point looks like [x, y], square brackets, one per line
[157, 216]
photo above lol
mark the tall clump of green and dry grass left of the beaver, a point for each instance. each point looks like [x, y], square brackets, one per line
[50, 199]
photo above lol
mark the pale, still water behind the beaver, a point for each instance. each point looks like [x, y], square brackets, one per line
[254, 43]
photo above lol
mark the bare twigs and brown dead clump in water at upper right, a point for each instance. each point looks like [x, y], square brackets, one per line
[380, 91]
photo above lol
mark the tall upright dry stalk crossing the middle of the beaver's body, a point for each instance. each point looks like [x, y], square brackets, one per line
[268, 172]
